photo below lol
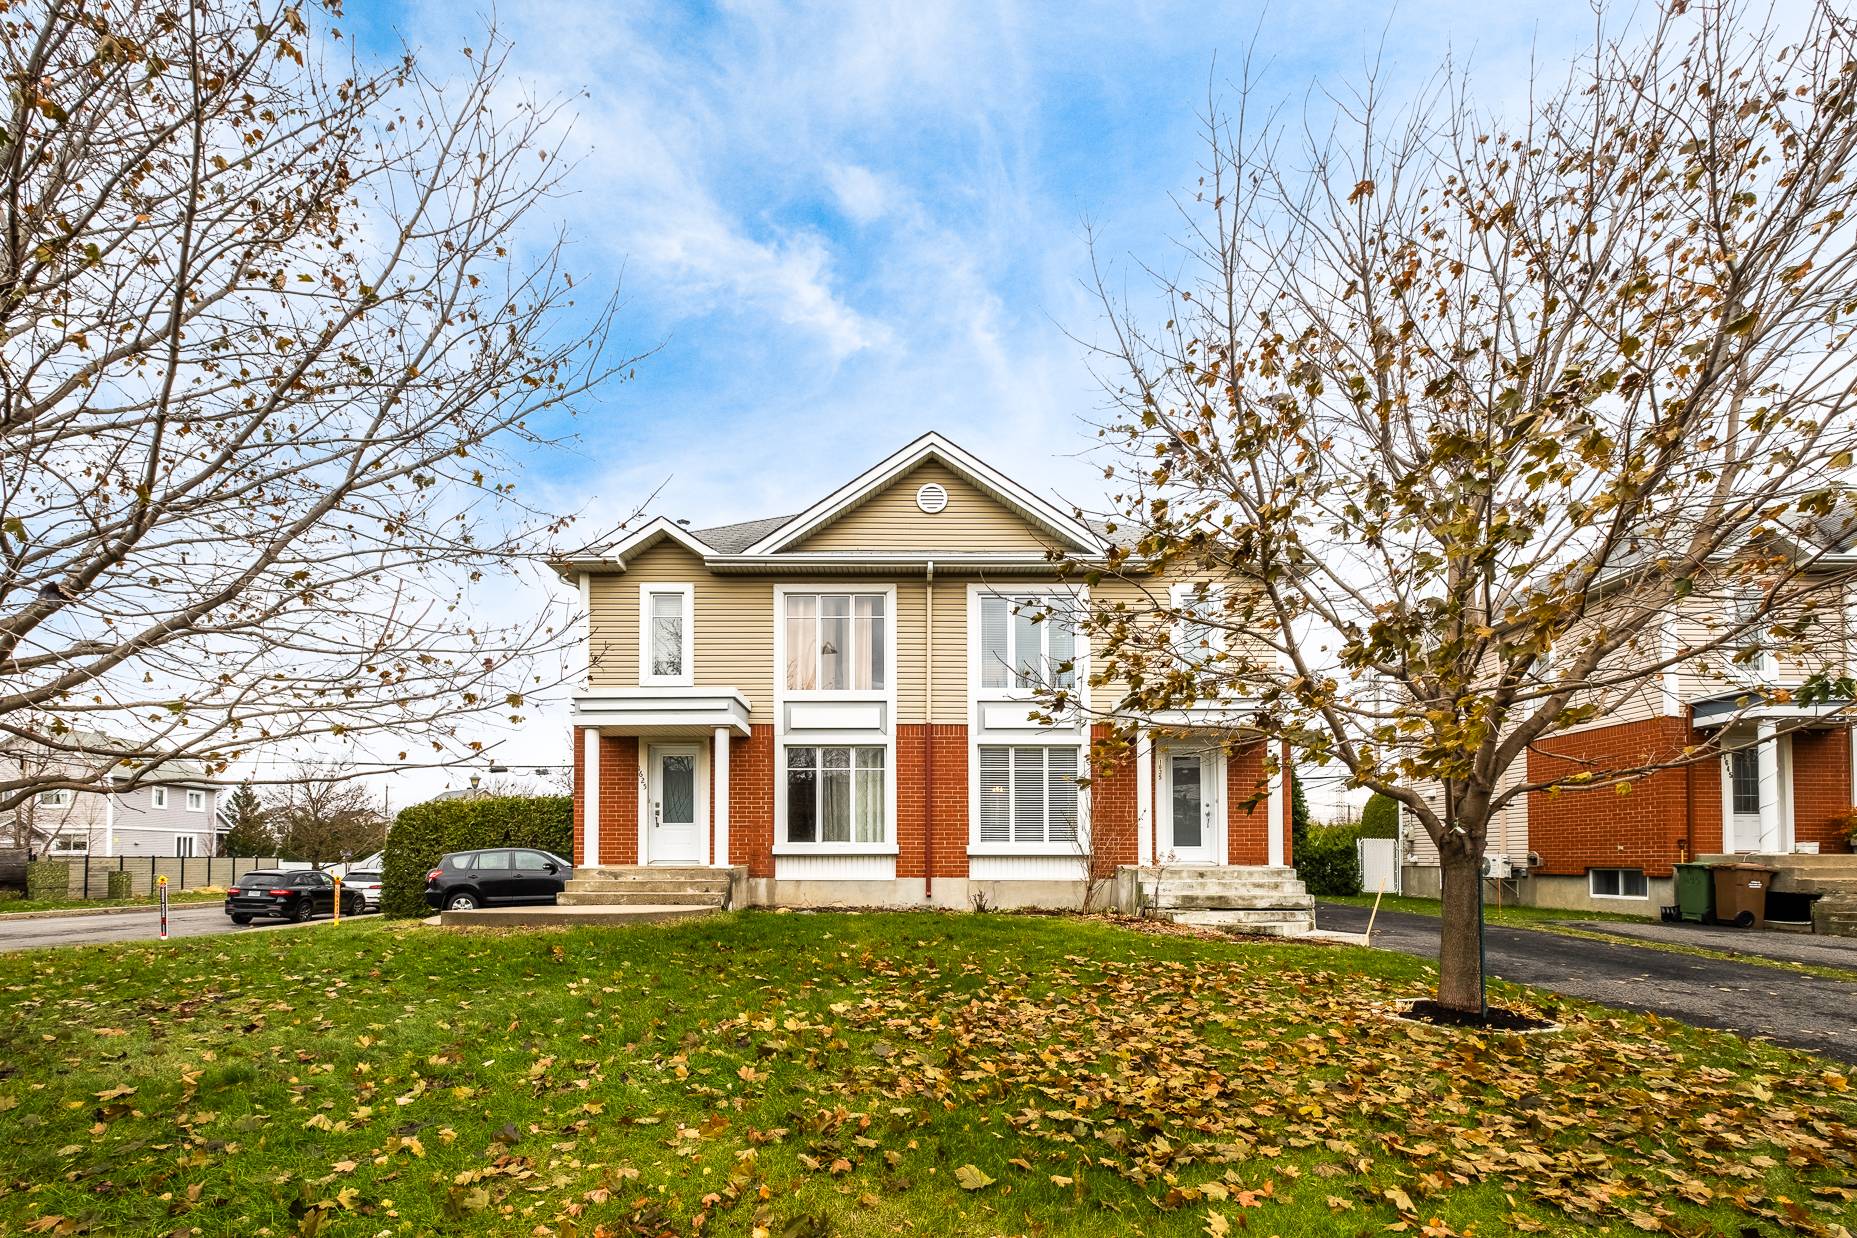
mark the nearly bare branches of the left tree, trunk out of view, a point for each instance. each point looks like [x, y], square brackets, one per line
[274, 333]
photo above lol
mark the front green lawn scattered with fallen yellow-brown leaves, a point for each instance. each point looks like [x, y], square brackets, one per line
[807, 1076]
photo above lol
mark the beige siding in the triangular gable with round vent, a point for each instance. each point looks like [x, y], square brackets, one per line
[890, 521]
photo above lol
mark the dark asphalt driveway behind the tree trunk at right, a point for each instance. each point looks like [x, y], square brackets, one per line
[1804, 1012]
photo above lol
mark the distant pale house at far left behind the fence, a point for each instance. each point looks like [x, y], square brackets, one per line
[174, 810]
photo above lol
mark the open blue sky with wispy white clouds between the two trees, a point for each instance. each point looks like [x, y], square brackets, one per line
[844, 226]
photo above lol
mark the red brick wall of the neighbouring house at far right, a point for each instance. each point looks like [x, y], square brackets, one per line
[1669, 816]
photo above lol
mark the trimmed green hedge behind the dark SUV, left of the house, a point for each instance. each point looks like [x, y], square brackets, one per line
[426, 832]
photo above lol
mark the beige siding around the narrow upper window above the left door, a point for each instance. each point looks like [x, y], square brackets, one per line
[734, 617]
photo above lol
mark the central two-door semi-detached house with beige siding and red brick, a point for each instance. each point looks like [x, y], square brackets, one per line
[842, 704]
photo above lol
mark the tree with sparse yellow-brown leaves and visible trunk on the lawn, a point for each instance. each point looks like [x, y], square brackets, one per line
[1472, 413]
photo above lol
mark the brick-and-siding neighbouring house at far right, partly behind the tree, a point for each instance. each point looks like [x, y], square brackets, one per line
[1774, 779]
